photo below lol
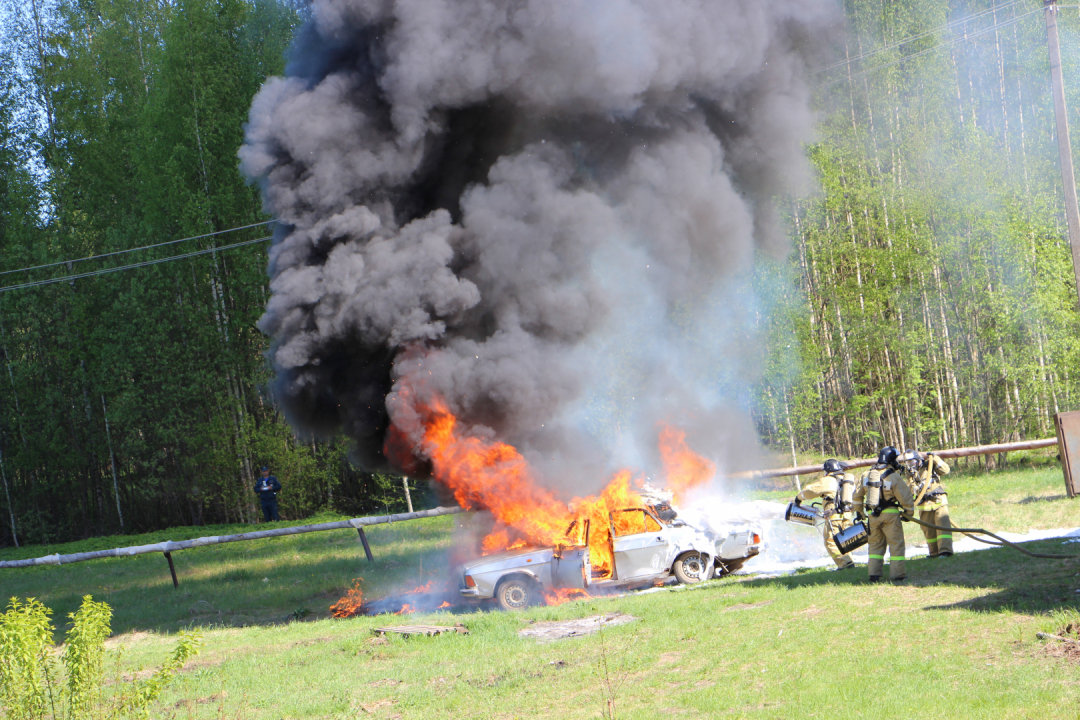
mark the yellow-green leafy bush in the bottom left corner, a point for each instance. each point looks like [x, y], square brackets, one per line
[35, 686]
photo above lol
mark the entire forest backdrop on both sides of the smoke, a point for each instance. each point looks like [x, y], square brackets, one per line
[929, 298]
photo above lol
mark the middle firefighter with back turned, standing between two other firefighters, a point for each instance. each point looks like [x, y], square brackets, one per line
[883, 495]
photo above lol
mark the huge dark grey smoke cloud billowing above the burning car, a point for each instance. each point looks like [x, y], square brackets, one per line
[541, 212]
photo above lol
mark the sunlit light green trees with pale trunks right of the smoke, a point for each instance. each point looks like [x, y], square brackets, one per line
[931, 288]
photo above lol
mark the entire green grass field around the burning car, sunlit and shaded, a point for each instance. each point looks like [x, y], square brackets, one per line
[957, 642]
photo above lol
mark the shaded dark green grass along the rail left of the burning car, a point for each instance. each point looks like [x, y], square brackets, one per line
[237, 585]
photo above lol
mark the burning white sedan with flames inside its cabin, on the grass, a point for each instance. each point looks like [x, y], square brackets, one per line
[645, 549]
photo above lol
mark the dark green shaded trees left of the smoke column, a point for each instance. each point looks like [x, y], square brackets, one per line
[138, 400]
